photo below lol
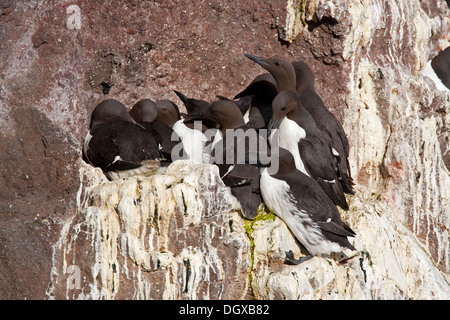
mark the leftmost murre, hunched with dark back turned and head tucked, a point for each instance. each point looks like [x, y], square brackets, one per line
[118, 145]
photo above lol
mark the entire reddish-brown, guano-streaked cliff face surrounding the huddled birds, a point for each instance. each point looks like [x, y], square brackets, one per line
[68, 233]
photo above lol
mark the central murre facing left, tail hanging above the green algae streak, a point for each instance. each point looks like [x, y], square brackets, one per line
[232, 151]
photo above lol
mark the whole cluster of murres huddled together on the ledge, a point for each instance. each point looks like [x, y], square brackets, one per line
[289, 121]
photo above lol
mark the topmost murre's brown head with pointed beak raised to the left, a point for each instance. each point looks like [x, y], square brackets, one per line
[280, 69]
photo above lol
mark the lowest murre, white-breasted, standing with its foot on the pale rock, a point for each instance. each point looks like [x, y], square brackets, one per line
[305, 208]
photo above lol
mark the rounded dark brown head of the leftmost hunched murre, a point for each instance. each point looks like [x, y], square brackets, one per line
[108, 111]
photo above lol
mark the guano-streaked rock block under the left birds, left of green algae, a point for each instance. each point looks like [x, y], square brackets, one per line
[175, 235]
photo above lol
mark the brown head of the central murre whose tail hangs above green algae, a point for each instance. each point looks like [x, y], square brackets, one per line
[226, 113]
